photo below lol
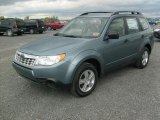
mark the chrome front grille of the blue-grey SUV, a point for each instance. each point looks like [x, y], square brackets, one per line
[25, 59]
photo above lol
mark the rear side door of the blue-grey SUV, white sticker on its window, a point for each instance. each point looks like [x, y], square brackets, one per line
[133, 37]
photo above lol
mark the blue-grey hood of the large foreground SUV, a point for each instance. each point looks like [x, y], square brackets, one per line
[52, 45]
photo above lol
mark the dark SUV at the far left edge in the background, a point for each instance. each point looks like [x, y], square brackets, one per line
[11, 26]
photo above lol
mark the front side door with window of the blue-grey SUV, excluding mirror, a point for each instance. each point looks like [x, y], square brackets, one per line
[115, 50]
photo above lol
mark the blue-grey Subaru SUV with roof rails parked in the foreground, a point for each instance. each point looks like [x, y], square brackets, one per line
[86, 48]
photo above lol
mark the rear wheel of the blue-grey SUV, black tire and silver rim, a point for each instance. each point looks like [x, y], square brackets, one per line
[139, 63]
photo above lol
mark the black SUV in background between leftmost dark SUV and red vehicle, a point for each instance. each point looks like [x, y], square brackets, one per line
[34, 26]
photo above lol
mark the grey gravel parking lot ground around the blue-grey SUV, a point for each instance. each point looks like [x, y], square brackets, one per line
[124, 94]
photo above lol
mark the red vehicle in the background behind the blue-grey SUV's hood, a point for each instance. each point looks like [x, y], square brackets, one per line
[54, 25]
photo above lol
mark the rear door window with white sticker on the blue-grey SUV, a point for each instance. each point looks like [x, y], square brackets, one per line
[132, 24]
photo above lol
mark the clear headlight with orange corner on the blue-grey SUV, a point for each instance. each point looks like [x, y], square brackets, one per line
[49, 60]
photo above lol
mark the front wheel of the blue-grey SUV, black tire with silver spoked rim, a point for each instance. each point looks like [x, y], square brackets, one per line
[76, 86]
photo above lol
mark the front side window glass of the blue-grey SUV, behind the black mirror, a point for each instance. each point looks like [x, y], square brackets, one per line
[117, 26]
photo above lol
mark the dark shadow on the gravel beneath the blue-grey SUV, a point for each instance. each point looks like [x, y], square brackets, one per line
[65, 91]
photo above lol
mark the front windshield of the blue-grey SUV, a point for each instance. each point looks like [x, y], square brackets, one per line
[87, 27]
